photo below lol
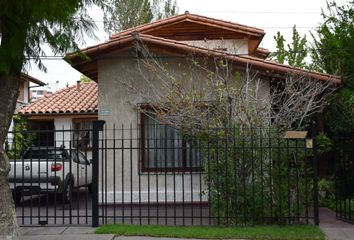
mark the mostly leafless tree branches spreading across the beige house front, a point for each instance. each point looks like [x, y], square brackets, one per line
[234, 95]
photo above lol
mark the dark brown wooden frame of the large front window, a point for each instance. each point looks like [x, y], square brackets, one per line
[145, 158]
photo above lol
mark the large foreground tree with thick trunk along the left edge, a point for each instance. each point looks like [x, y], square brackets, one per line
[25, 27]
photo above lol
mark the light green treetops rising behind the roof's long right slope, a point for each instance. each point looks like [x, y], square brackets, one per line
[296, 52]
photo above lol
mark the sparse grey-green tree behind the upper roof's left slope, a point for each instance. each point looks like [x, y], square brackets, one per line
[123, 14]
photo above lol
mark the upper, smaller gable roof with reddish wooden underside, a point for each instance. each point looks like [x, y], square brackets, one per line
[185, 27]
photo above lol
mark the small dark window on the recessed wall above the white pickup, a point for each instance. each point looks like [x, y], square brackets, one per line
[82, 134]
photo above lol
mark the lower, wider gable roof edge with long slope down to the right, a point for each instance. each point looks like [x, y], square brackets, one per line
[174, 47]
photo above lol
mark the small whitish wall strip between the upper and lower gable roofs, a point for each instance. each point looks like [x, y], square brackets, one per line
[233, 46]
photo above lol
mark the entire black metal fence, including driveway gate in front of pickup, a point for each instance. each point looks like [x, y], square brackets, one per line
[156, 174]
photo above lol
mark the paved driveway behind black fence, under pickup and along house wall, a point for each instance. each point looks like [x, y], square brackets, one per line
[49, 209]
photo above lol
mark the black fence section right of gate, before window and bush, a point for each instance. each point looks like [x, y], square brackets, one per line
[155, 174]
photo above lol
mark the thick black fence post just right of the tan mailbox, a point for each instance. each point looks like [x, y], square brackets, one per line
[315, 175]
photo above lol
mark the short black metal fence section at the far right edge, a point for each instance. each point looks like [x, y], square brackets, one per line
[344, 178]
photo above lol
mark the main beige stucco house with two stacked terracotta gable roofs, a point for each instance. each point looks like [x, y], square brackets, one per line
[174, 38]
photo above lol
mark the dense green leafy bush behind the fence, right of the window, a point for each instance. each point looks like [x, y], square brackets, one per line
[255, 176]
